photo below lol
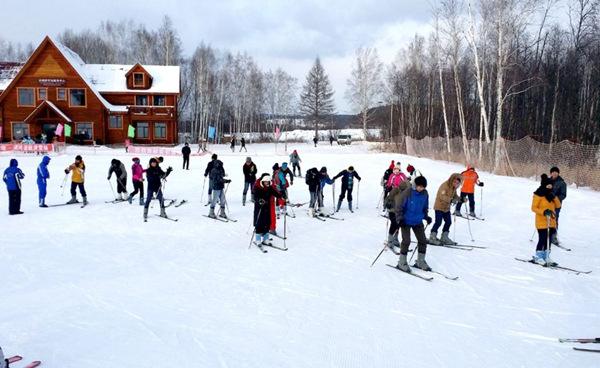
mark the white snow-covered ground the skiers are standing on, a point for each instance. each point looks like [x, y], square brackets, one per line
[97, 287]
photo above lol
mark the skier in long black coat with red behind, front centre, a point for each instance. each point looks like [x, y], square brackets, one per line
[263, 197]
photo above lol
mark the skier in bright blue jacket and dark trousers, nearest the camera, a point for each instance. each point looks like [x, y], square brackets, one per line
[410, 213]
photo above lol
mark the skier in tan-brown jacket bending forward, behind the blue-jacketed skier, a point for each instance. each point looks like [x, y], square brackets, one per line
[446, 196]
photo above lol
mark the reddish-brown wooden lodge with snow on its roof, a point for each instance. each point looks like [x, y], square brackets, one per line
[98, 101]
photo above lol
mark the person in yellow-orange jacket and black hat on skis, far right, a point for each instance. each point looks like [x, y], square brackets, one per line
[545, 205]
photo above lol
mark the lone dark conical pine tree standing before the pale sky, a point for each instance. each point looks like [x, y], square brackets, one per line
[316, 100]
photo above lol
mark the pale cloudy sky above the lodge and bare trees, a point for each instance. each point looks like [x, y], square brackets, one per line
[286, 34]
